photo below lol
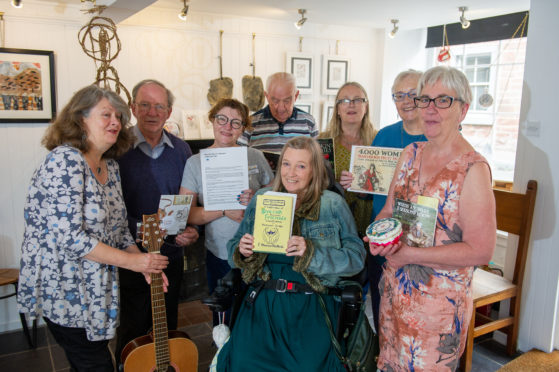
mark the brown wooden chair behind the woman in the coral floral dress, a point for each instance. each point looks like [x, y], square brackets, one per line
[514, 215]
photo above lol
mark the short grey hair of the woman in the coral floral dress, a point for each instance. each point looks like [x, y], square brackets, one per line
[450, 78]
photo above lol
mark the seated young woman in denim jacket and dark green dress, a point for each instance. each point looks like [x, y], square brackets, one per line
[281, 325]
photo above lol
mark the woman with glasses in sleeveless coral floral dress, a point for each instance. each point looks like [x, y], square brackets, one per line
[426, 302]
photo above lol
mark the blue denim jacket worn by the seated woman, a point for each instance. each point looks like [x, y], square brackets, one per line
[334, 249]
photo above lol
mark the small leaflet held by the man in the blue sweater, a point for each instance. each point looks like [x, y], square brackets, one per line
[173, 212]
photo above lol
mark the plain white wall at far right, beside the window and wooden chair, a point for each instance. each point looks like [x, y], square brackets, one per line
[537, 157]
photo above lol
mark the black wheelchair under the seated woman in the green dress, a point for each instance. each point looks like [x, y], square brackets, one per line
[230, 293]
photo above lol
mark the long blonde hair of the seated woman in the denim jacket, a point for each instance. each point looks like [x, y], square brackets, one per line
[319, 180]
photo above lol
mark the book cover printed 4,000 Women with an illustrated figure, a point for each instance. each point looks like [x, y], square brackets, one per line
[373, 168]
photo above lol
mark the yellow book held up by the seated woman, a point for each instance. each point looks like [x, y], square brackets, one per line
[273, 221]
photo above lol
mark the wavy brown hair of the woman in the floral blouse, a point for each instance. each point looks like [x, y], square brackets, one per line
[68, 127]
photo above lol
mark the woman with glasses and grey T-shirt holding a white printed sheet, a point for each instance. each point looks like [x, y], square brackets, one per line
[230, 118]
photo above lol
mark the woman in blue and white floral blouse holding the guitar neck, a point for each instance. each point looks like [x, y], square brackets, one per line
[76, 231]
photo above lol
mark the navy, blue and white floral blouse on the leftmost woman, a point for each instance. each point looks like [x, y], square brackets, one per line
[67, 213]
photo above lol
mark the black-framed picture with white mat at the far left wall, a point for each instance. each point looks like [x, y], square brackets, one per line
[31, 97]
